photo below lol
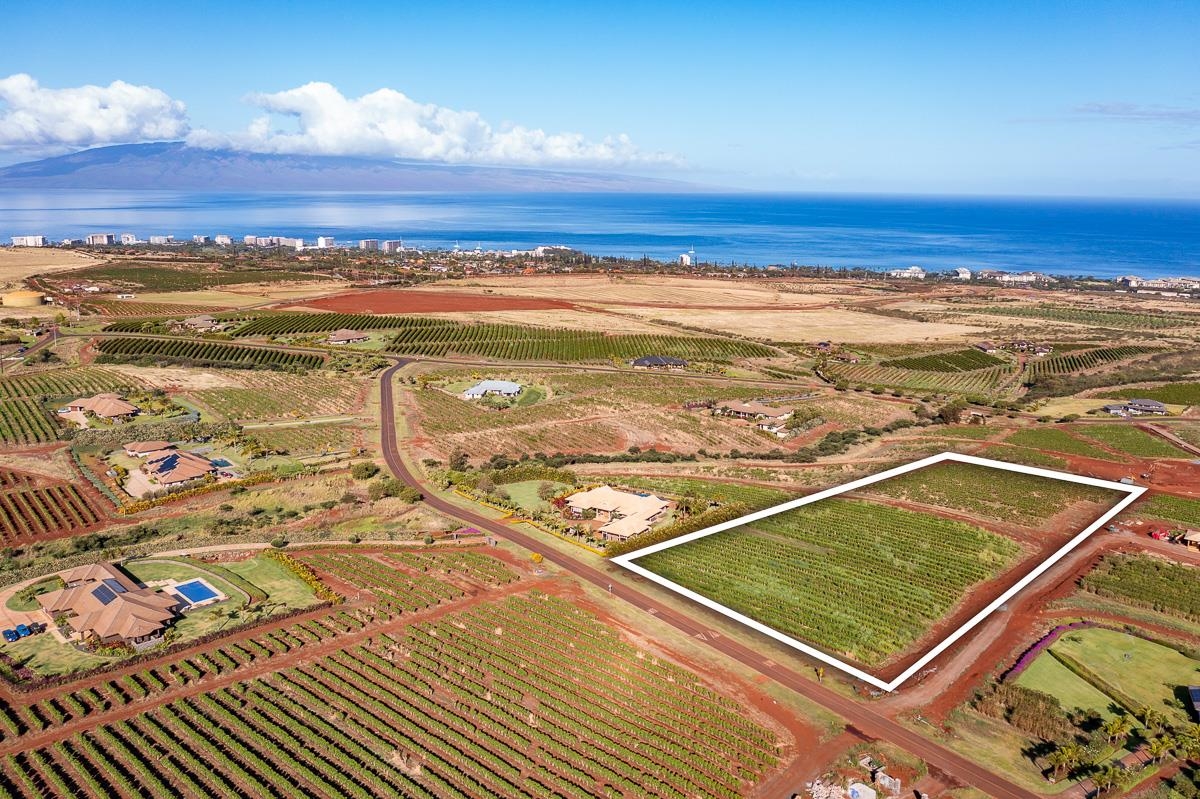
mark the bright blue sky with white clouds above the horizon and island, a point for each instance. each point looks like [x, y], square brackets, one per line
[923, 98]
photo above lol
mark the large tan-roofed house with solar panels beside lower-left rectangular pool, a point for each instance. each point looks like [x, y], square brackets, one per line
[103, 605]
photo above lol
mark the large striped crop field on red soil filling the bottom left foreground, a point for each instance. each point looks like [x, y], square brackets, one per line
[367, 723]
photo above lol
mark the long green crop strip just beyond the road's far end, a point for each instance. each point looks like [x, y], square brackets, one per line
[523, 344]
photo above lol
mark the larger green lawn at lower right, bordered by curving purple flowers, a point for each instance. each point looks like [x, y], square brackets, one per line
[1148, 672]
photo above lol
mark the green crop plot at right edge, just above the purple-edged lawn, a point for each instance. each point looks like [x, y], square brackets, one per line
[1154, 584]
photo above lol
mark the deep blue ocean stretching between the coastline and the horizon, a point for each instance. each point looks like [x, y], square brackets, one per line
[1059, 237]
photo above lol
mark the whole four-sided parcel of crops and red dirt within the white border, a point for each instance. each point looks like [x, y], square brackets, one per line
[867, 578]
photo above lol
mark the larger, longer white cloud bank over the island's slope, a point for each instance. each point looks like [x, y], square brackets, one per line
[389, 124]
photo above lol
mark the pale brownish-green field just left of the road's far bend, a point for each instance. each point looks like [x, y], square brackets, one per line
[274, 397]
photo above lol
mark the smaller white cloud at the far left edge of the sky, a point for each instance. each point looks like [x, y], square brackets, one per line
[40, 119]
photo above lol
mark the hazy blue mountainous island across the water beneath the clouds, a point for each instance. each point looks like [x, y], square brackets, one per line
[176, 166]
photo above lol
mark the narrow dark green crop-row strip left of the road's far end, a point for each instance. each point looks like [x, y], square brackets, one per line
[205, 353]
